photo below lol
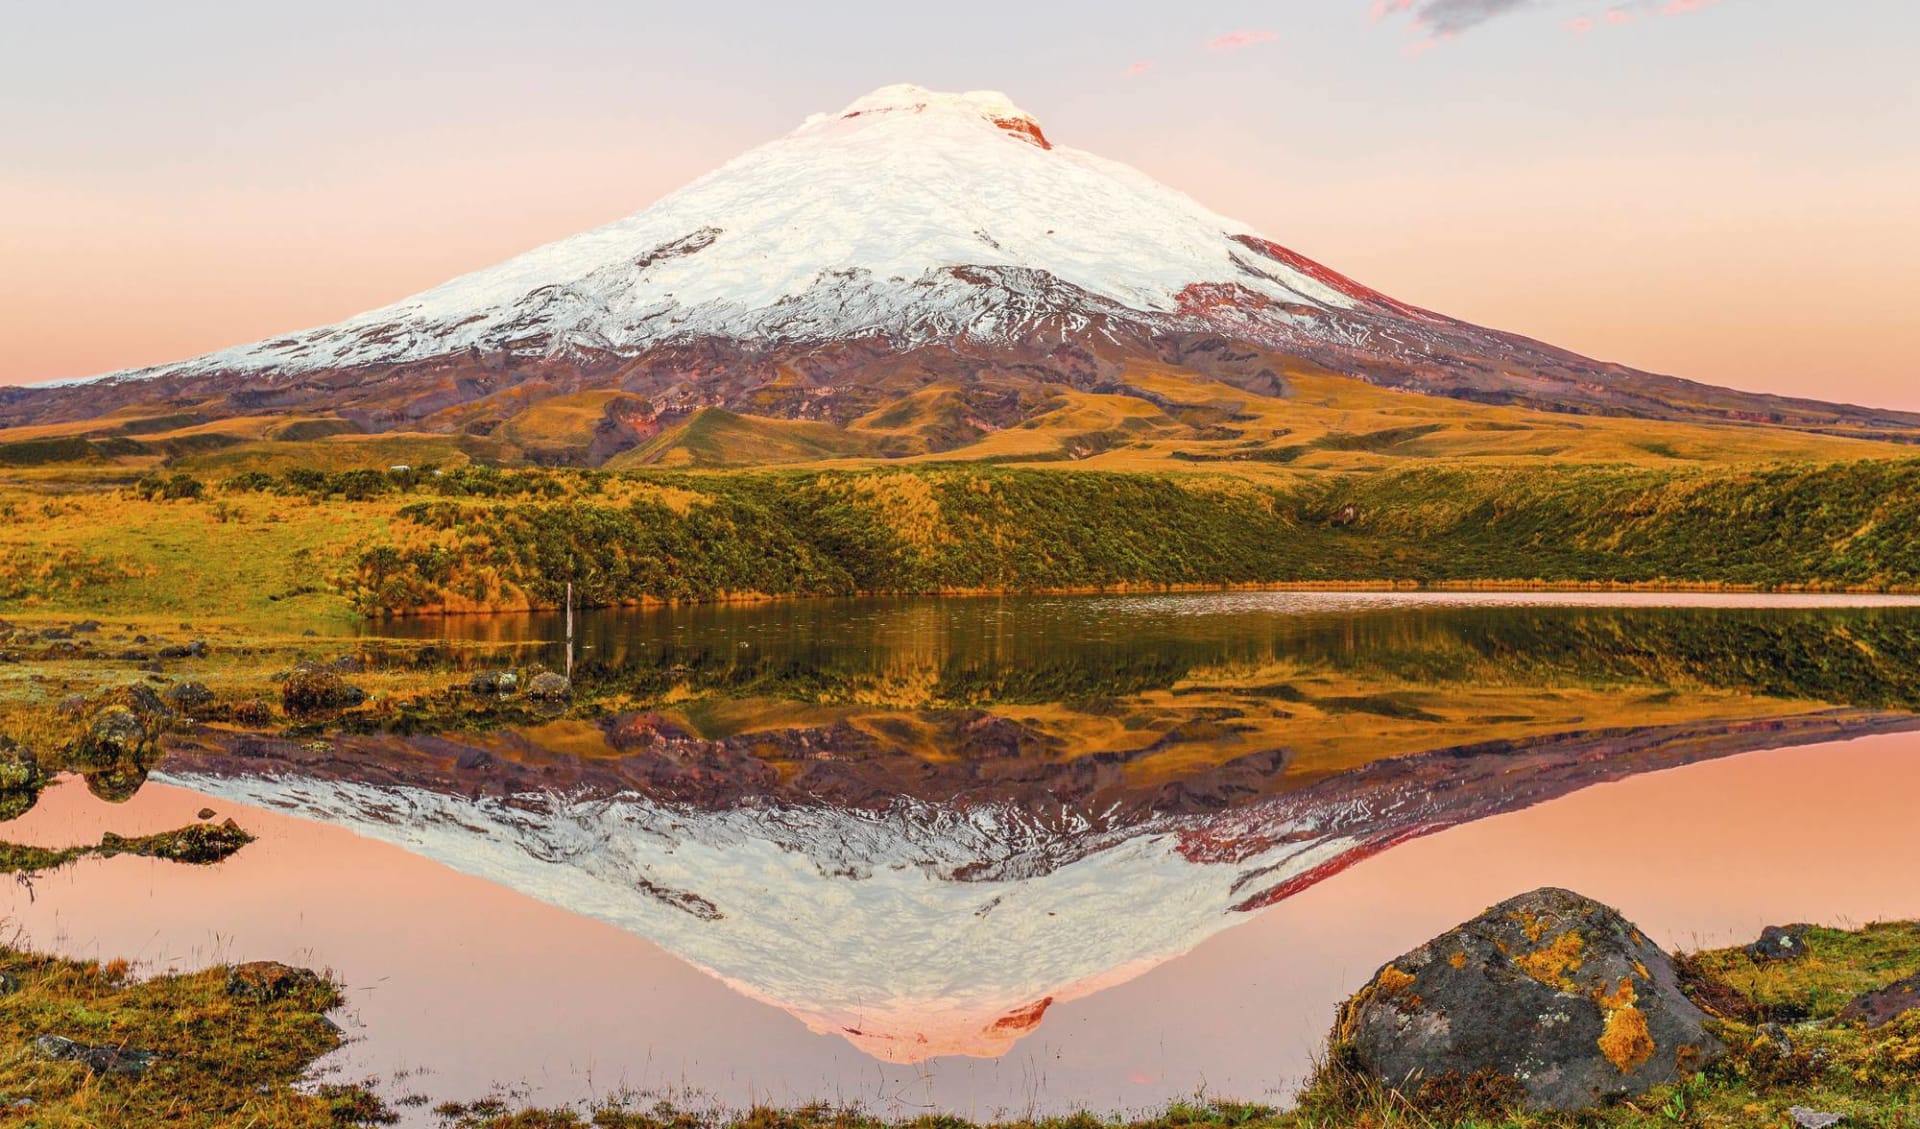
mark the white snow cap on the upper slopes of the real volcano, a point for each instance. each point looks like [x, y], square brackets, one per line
[909, 218]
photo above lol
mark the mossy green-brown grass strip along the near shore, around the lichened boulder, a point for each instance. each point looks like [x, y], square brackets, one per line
[231, 1061]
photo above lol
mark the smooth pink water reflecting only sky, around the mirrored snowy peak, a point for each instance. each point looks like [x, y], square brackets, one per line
[475, 986]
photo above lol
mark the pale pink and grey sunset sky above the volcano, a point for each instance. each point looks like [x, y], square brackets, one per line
[1717, 189]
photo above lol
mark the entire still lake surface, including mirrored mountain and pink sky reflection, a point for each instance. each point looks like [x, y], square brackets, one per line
[1005, 855]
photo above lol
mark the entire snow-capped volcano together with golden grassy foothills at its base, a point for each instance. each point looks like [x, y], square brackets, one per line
[915, 276]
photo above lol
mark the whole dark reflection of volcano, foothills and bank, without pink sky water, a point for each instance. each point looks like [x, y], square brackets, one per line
[924, 825]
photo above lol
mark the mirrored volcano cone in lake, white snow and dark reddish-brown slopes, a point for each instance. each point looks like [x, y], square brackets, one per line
[913, 923]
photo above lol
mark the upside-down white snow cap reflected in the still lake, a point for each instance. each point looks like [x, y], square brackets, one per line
[850, 921]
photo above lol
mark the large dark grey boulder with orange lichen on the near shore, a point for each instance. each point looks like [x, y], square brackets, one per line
[1550, 990]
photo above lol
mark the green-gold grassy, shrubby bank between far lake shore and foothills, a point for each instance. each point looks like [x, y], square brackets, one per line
[318, 550]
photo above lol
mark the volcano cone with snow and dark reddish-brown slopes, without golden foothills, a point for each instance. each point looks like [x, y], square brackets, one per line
[911, 243]
